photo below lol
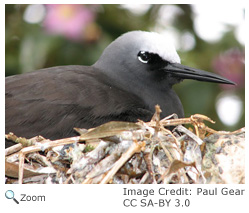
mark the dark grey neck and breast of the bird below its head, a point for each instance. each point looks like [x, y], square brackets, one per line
[152, 93]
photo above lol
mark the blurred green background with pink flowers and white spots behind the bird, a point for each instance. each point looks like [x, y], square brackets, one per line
[212, 39]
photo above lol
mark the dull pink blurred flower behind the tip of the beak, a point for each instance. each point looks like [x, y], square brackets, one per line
[231, 65]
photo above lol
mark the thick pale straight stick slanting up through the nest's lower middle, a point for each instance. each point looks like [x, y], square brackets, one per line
[134, 148]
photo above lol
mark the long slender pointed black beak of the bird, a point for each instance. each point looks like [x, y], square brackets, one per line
[186, 72]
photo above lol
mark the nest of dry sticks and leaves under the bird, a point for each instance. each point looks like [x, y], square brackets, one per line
[131, 153]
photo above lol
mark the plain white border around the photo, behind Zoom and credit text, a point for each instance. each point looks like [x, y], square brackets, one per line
[67, 198]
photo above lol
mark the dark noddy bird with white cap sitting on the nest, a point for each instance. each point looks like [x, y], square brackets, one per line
[133, 74]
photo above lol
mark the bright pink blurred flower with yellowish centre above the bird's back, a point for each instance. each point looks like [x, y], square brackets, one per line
[69, 20]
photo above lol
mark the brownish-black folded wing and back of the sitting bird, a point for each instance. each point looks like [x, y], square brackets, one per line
[50, 102]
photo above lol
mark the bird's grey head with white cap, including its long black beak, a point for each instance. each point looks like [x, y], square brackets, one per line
[151, 58]
